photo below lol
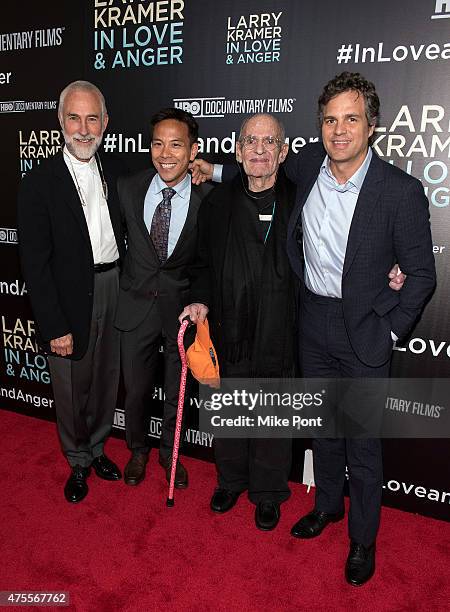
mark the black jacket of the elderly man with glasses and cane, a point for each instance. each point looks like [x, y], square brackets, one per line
[275, 327]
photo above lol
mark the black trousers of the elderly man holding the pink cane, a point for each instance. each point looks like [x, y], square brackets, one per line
[259, 465]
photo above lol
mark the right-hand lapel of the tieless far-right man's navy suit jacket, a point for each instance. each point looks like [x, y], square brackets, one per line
[365, 205]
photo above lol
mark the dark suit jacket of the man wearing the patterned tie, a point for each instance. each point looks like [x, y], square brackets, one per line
[143, 278]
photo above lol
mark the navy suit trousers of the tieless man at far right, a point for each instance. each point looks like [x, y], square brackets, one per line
[326, 352]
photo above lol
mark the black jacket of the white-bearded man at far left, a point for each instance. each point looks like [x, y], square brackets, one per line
[55, 249]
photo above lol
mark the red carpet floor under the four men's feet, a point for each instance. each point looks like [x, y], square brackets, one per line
[122, 549]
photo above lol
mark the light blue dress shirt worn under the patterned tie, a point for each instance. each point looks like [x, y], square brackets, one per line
[180, 207]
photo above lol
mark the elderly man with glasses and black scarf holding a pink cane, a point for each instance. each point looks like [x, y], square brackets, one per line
[243, 278]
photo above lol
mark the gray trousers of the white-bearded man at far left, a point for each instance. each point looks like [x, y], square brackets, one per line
[85, 390]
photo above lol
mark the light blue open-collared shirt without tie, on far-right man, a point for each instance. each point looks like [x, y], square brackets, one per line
[326, 220]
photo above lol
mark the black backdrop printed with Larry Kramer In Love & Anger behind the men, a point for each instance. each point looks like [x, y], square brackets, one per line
[222, 61]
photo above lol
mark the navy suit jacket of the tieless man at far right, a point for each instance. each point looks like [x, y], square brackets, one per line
[390, 225]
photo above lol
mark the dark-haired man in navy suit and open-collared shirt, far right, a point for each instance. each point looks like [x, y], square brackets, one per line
[355, 216]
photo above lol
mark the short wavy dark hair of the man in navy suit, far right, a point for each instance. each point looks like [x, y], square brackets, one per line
[351, 81]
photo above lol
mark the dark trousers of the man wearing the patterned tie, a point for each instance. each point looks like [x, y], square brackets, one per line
[139, 350]
